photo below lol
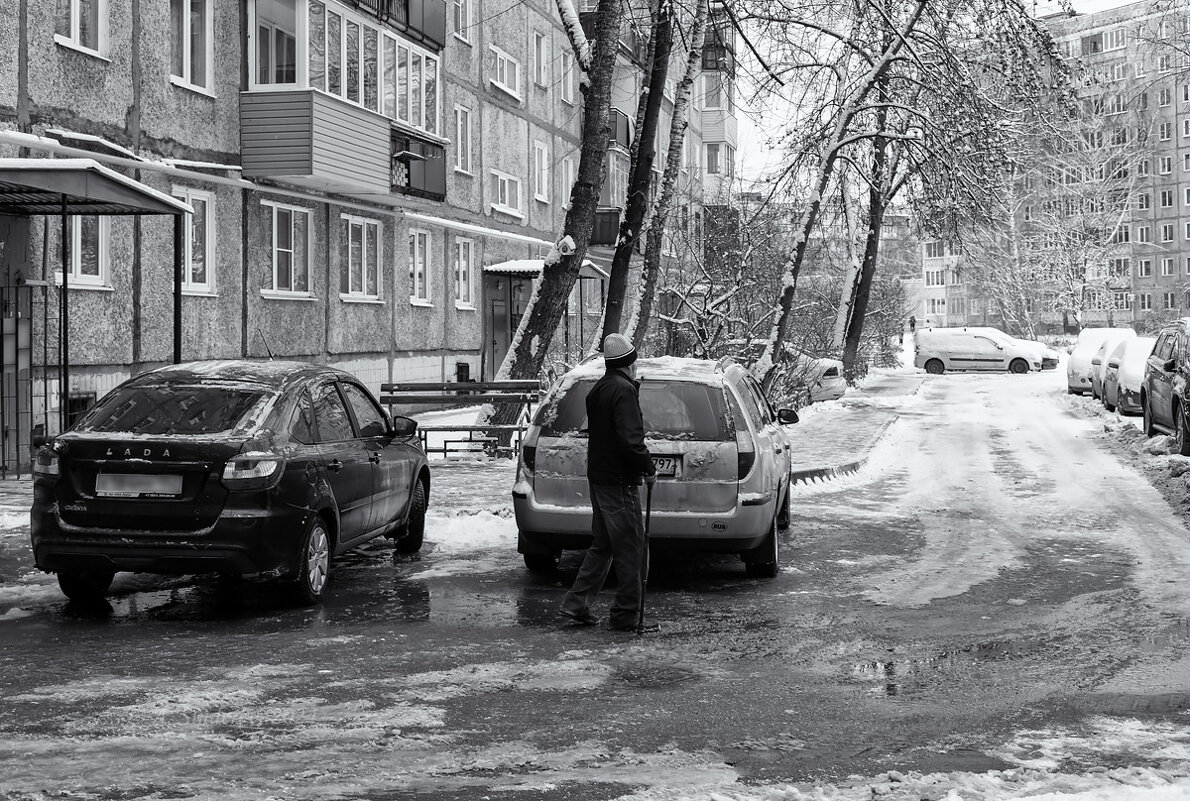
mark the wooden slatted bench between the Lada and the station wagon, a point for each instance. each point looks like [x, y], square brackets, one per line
[492, 440]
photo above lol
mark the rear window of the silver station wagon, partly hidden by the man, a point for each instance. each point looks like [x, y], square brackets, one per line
[673, 410]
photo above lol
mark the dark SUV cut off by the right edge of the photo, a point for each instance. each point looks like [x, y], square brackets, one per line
[1166, 390]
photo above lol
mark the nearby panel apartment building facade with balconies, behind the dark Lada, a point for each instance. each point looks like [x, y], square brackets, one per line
[374, 183]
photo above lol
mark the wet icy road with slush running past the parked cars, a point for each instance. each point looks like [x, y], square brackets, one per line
[994, 608]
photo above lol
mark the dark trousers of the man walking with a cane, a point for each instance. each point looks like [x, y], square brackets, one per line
[618, 540]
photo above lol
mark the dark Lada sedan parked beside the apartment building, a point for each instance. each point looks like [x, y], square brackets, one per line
[231, 467]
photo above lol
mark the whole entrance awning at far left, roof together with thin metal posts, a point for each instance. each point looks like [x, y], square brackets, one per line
[83, 186]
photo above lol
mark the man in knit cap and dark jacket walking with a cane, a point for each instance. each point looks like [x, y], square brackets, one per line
[617, 462]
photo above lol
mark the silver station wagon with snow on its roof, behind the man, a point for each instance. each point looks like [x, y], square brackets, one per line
[722, 453]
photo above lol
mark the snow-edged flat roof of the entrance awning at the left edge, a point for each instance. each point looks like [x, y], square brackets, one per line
[82, 186]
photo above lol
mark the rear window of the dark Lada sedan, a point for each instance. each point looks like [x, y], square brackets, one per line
[173, 410]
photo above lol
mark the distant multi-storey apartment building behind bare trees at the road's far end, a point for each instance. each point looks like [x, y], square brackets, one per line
[1135, 79]
